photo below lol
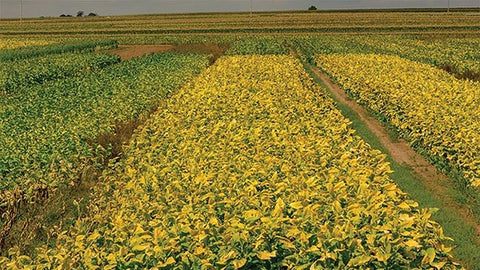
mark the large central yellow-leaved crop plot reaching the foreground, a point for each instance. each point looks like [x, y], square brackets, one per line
[250, 166]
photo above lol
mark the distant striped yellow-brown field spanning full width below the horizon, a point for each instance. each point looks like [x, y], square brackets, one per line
[277, 22]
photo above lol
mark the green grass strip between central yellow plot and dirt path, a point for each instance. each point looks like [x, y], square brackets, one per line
[467, 249]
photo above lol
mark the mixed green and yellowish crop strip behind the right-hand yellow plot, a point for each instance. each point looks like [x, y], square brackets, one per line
[462, 54]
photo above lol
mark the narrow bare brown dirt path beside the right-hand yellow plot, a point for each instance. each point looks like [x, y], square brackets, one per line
[435, 181]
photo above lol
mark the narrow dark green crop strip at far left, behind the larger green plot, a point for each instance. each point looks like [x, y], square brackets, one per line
[34, 51]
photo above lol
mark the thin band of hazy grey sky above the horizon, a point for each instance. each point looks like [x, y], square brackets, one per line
[37, 8]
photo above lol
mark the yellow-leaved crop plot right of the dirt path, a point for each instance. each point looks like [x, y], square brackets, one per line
[437, 113]
